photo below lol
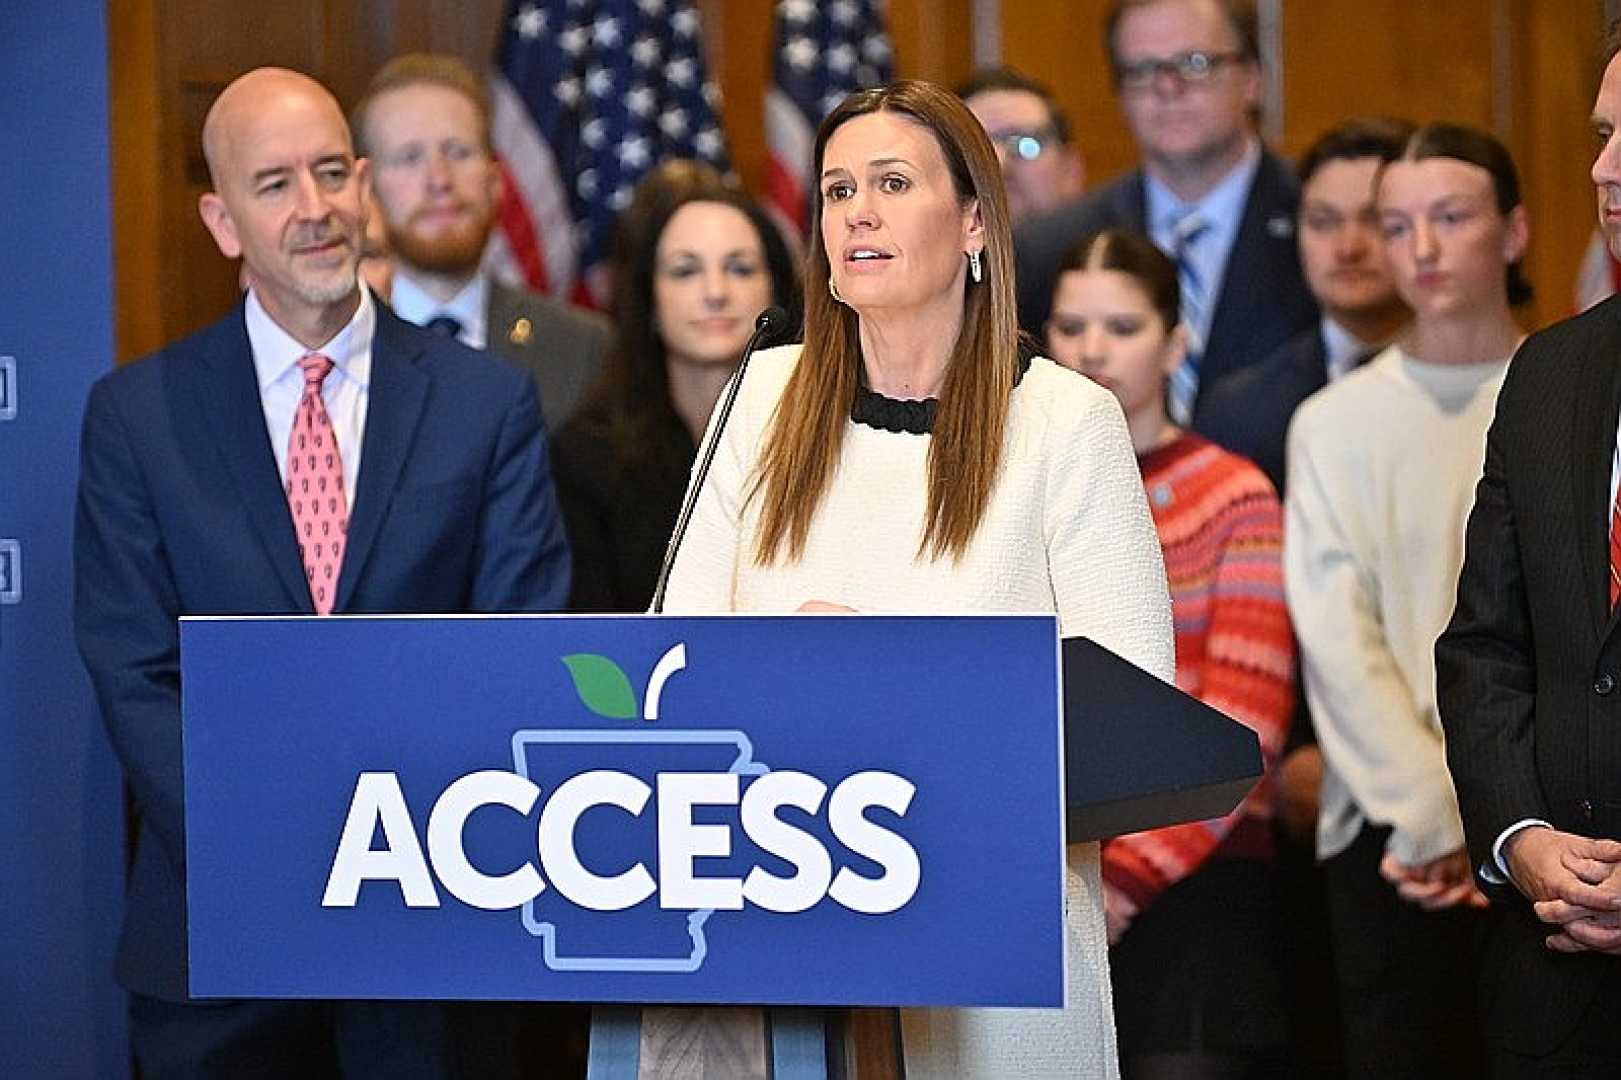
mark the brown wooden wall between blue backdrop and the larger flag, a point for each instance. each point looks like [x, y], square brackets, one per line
[174, 59]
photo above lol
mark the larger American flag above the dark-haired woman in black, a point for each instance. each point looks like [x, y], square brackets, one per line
[588, 96]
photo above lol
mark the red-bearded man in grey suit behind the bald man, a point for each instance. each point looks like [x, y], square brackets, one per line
[426, 126]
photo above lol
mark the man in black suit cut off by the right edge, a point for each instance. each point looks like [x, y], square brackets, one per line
[1528, 684]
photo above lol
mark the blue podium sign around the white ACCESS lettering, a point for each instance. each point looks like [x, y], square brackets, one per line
[962, 708]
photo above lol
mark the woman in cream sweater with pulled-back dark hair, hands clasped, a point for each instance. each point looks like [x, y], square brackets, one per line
[1382, 478]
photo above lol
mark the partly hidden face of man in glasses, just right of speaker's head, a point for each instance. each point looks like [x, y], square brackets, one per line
[1041, 169]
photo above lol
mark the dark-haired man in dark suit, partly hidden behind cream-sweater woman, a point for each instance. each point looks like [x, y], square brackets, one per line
[1343, 255]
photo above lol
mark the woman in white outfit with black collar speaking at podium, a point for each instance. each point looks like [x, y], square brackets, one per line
[910, 458]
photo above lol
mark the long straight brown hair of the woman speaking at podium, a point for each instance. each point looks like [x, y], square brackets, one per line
[808, 431]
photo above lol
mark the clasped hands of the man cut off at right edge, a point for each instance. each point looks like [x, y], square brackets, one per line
[1573, 883]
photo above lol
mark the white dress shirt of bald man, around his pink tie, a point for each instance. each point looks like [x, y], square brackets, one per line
[344, 393]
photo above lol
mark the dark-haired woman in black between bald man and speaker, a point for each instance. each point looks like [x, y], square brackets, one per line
[699, 262]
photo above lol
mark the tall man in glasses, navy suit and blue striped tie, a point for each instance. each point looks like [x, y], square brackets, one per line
[1208, 194]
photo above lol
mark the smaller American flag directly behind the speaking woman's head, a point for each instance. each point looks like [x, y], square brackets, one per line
[824, 53]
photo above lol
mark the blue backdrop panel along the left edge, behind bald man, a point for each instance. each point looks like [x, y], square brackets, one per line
[61, 880]
